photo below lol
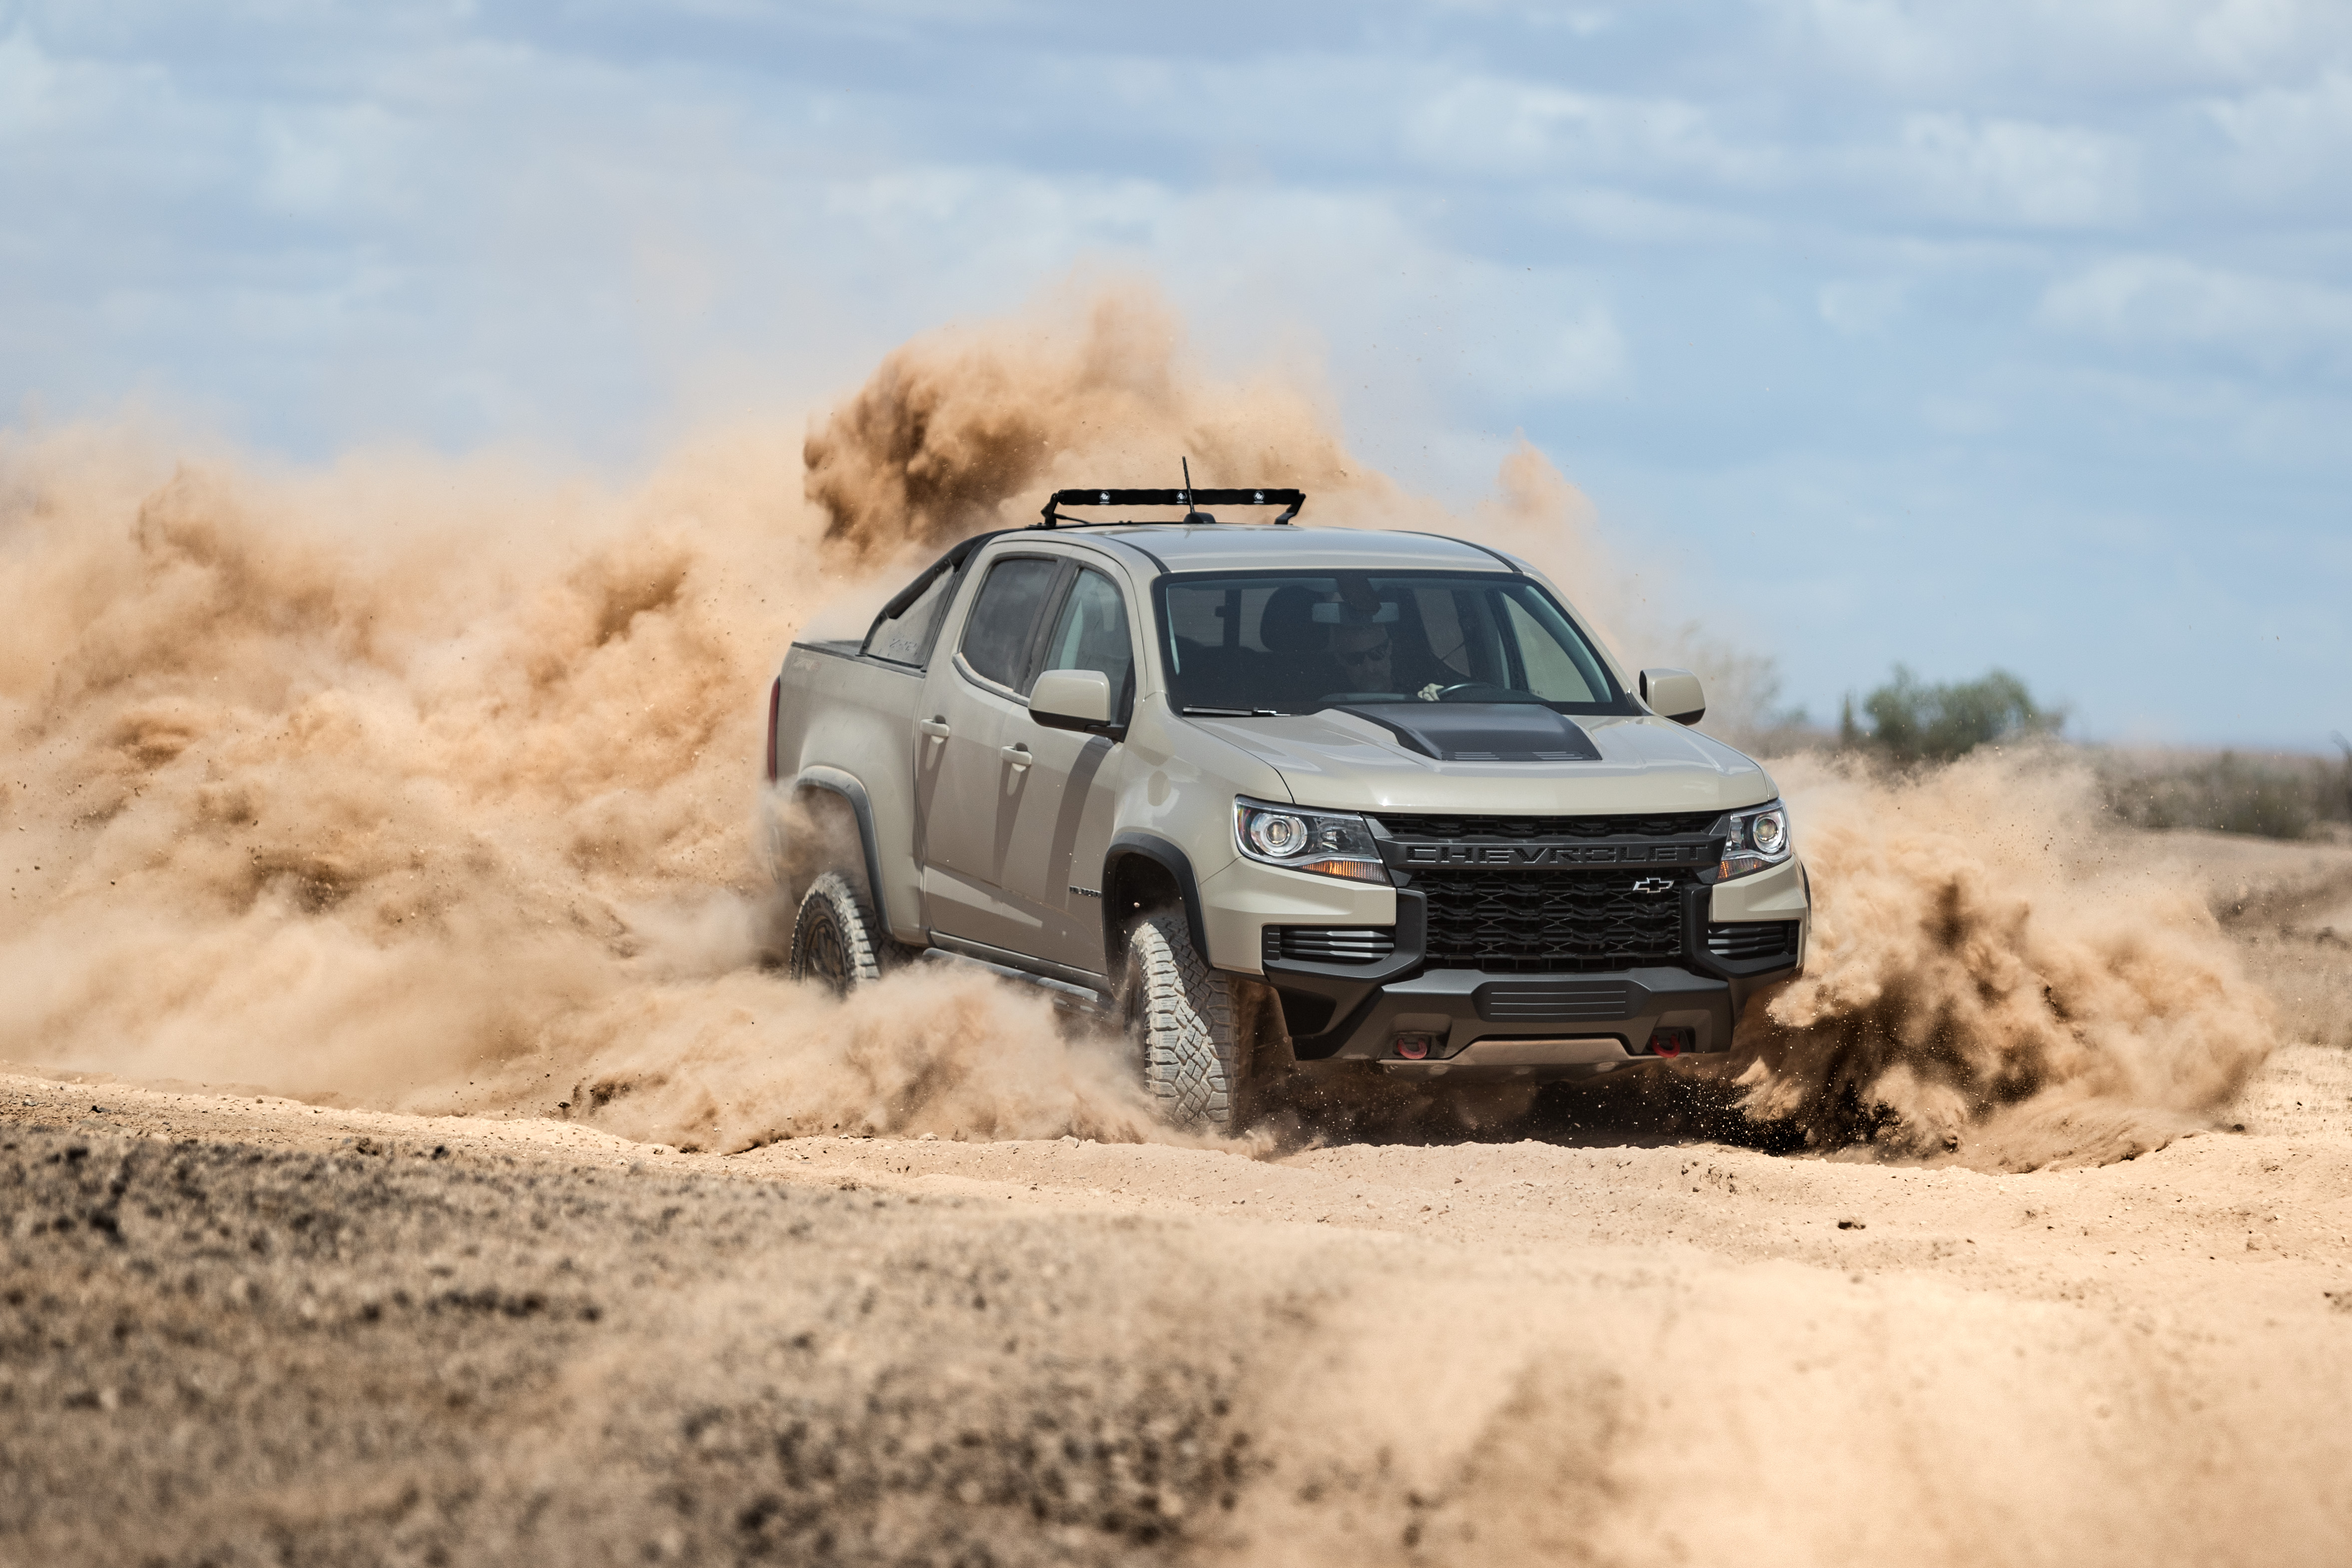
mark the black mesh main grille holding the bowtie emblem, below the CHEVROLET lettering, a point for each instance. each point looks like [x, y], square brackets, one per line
[1551, 923]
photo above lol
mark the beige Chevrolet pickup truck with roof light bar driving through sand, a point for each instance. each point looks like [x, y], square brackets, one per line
[1321, 793]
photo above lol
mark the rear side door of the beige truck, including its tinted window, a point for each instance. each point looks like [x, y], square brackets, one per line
[975, 753]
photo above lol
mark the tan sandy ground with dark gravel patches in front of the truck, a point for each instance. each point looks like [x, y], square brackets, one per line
[246, 1329]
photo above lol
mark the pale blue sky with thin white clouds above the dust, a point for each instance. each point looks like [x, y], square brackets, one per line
[1953, 335]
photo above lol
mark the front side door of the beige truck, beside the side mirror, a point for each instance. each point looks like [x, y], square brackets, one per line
[1067, 805]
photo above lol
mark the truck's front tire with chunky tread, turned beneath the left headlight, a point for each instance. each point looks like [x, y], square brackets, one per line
[1184, 1024]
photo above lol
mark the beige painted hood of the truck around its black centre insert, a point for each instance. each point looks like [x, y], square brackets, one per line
[1356, 765]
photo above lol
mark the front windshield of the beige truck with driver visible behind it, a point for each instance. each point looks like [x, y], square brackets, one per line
[1297, 643]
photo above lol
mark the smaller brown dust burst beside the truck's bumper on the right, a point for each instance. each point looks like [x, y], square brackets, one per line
[1998, 972]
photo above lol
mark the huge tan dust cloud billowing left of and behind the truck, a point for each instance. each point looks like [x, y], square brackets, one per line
[432, 786]
